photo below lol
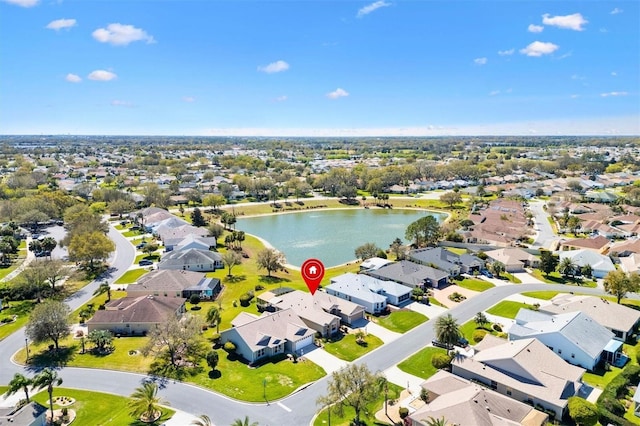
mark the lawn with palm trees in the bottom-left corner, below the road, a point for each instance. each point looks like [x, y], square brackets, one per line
[96, 408]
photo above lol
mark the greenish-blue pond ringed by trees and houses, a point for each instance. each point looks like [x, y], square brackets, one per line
[331, 235]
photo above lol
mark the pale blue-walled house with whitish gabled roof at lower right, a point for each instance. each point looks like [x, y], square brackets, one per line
[574, 336]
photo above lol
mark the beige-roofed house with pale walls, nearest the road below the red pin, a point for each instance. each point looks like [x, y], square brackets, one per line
[271, 334]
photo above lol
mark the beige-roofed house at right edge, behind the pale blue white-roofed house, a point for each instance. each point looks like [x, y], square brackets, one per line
[621, 320]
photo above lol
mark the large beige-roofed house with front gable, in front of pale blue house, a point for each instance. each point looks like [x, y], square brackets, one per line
[525, 370]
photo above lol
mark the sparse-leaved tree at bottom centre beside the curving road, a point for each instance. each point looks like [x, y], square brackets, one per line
[352, 386]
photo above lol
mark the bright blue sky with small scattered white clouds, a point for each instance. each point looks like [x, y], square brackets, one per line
[305, 68]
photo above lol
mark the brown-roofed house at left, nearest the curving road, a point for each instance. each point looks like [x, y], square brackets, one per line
[136, 315]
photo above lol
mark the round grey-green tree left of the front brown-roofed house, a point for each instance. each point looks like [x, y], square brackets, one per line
[49, 321]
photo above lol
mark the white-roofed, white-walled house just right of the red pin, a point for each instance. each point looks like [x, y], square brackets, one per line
[355, 287]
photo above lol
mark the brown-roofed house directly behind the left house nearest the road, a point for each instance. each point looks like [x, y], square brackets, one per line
[172, 283]
